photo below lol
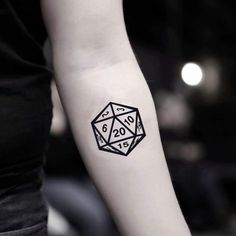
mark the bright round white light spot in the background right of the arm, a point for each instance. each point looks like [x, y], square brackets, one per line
[192, 74]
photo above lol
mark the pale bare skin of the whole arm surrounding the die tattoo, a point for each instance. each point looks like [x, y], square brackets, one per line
[94, 65]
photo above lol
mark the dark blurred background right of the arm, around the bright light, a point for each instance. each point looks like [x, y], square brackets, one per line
[201, 153]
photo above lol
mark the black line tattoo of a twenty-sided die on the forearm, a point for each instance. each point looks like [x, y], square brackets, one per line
[118, 129]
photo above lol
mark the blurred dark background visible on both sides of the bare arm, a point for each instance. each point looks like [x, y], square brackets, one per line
[187, 52]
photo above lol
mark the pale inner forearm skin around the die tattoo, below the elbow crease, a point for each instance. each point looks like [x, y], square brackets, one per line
[136, 187]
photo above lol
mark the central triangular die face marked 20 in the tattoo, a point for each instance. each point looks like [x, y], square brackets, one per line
[119, 131]
